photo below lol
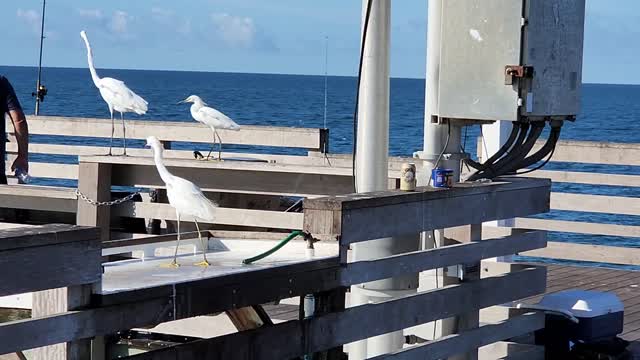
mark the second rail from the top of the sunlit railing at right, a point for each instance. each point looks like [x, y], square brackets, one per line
[587, 178]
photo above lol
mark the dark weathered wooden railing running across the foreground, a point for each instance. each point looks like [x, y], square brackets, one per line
[114, 304]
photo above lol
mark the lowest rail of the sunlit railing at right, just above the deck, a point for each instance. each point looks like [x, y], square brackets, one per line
[583, 252]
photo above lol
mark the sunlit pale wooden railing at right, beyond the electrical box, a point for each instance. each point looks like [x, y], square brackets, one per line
[594, 153]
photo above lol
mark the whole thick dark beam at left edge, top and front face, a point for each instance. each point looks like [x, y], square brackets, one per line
[48, 257]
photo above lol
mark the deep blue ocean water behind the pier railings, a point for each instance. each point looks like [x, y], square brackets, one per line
[609, 113]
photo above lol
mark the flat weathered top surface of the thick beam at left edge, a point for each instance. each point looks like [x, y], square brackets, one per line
[52, 234]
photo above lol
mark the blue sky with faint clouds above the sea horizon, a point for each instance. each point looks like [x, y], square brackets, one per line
[284, 36]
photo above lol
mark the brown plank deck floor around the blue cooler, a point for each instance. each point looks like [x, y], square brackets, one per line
[626, 284]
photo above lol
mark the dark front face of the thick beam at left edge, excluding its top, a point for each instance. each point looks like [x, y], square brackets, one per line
[50, 266]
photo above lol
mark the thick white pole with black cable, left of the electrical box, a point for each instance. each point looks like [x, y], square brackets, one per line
[372, 174]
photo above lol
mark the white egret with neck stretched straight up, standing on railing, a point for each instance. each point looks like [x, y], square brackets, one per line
[116, 94]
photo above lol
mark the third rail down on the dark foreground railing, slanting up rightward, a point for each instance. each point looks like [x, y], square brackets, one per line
[334, 329]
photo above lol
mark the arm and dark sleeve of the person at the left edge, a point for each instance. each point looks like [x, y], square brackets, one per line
[19, 124]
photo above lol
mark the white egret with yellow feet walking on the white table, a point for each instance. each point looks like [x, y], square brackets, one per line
[185, 197]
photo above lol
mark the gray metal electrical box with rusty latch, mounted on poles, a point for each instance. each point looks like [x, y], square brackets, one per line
[511, 59]
